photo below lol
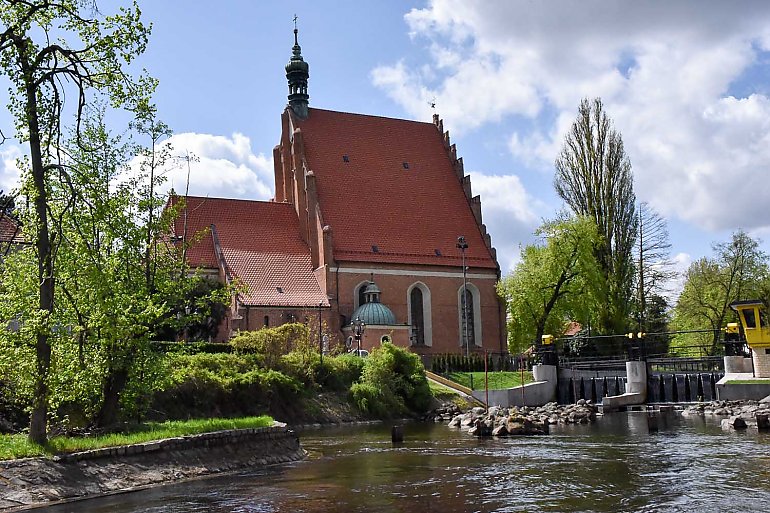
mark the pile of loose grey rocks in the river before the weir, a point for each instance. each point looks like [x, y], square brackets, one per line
[514, 421]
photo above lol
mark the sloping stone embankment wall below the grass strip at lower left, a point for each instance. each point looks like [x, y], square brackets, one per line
[103, 471]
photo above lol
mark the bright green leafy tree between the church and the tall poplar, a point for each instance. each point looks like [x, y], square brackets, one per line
[551, 285]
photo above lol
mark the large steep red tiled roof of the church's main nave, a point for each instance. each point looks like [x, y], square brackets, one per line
[388, 190]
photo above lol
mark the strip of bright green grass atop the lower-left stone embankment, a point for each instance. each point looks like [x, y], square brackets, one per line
[18, 446]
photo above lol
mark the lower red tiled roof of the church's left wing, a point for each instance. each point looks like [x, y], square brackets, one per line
[261, 246]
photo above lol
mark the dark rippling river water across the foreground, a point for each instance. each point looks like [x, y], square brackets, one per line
[613, 465]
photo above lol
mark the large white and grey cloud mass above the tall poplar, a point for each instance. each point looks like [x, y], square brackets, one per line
[665, 70]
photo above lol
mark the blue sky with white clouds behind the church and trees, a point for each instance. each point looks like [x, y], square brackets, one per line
[686, 83]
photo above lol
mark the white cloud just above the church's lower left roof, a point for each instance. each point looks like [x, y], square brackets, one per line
[221, 167]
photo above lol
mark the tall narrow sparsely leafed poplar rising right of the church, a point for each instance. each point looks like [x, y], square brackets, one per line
[594, 178]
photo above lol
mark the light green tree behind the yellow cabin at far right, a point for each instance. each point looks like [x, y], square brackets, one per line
[738, 270]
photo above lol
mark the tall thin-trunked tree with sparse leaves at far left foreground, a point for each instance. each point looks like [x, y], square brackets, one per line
[59, 55]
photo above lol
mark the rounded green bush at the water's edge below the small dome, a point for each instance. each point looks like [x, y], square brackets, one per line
[392, 383]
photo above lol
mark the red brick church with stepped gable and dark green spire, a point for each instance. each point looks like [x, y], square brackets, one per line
[373, 219]
